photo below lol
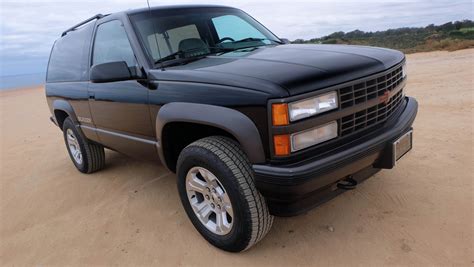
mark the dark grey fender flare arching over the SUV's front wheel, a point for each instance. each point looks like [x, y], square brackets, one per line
[229, 120]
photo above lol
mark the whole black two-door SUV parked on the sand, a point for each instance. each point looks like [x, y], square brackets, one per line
[252, 125]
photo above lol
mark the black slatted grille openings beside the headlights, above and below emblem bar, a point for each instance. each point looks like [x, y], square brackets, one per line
[366, 91]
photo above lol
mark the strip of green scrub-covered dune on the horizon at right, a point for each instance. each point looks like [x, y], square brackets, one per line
[449, 36]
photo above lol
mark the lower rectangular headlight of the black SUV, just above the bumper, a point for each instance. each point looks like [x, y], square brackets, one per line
[313, 136]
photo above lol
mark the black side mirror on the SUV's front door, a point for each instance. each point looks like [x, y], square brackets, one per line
[110, 72]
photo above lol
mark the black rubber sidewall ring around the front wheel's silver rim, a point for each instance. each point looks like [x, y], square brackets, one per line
[239, 237]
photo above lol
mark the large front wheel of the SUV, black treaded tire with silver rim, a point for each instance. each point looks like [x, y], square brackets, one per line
[226, 162]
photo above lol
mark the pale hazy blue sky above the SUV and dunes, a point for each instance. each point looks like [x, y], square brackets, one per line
[29, 28]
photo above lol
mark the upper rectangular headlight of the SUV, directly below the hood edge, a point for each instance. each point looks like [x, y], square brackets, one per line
[311, 106]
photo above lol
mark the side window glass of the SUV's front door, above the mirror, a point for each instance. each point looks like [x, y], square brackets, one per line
[111, 44]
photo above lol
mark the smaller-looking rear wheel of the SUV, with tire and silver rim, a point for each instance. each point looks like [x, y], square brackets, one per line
[92, 155]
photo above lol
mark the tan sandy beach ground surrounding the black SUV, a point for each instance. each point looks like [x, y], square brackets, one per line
[420, 213]
